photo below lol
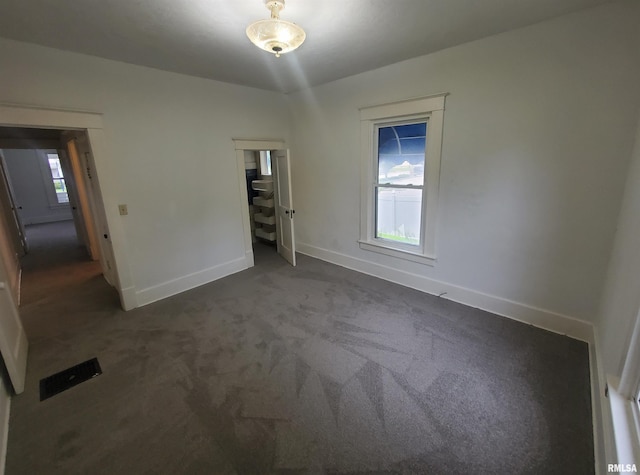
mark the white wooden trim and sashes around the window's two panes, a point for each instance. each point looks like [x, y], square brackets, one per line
[431, 109]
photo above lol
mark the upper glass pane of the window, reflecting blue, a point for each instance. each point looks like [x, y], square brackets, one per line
[401, 152]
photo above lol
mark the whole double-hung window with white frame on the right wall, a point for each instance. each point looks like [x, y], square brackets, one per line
[401, 145]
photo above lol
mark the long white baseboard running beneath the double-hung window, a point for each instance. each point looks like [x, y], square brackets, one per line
[538, 317]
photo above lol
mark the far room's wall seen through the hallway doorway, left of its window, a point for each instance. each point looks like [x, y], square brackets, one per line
[30, 188]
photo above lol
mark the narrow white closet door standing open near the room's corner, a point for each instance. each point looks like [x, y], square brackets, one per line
[284, 206]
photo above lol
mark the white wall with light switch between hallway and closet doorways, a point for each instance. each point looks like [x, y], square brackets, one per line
[171, 156]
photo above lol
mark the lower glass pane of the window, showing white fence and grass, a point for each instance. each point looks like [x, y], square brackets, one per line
[398, 214]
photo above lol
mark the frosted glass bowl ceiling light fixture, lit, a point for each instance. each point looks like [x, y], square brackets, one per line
[275, 35]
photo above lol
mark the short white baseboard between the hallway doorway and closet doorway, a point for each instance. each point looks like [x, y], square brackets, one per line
[190, 281]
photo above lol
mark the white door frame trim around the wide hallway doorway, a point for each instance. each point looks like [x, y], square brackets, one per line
[91, 122]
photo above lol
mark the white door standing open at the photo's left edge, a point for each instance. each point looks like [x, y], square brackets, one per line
[13, 340]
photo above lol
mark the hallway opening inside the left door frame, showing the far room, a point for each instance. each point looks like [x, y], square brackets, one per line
[55, 210]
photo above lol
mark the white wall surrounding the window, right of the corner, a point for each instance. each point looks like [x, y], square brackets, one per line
[538, 131]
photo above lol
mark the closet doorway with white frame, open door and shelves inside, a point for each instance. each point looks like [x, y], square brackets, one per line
[264, 172]
